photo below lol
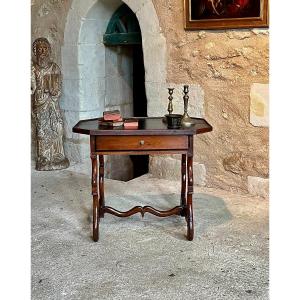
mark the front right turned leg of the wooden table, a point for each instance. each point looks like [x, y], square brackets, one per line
[190, 190]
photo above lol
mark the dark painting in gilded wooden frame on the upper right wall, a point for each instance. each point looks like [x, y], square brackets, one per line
[223, 14]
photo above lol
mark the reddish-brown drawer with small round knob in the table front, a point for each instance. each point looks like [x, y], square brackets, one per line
[122, 143]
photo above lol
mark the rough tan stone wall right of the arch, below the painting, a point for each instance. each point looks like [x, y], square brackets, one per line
[226, 64]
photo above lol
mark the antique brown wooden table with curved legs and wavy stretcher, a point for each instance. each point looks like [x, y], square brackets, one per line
[152, 137]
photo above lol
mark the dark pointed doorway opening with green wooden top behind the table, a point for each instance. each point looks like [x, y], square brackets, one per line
[123, 35]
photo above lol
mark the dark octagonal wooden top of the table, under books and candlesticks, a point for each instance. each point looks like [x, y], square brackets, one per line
[147, 126]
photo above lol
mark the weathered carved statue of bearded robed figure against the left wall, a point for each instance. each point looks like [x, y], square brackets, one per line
[45, 90]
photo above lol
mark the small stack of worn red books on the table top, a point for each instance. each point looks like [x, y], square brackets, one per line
[113, 118]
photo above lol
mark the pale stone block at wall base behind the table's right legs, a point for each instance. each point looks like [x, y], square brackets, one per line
[170, 168]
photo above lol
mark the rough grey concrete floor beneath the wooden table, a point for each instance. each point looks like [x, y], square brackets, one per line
[146, 258]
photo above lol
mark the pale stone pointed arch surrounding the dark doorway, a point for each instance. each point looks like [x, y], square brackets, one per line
[86, 68]
